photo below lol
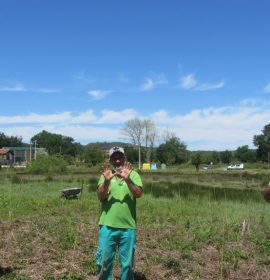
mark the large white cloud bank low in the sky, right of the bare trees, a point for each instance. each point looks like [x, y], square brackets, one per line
[215, 128]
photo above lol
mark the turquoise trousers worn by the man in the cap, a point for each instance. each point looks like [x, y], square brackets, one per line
[110, 240]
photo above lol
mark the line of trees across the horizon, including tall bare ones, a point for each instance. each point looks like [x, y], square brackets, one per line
[142, 137]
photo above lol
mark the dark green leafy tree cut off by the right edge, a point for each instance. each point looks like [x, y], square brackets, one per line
[262, 141]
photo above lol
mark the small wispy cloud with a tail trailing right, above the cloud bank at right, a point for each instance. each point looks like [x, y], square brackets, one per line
[190, 82]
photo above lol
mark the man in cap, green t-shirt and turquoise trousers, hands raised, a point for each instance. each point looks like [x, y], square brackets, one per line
[117, 190]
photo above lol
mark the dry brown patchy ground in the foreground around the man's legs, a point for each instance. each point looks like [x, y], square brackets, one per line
[27, 251]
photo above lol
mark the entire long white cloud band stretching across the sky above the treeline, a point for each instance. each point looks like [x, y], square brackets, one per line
[212, 128]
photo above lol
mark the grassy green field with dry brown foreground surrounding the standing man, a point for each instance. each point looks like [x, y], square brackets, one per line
[190, 226]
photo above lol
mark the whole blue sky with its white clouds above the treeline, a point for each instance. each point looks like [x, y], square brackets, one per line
[199, 69]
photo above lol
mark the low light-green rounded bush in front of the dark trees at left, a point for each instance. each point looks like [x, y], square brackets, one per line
[48, 164]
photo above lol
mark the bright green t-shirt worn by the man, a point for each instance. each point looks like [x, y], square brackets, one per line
[119, 209]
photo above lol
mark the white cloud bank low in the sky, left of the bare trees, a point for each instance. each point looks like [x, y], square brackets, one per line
[84, 127]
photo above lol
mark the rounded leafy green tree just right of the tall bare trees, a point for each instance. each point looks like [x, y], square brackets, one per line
[173, 151]
